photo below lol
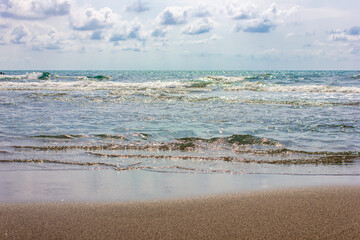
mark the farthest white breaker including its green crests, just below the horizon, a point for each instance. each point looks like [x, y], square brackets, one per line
[105, 82]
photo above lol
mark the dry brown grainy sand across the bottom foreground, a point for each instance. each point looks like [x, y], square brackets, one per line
[312, 213]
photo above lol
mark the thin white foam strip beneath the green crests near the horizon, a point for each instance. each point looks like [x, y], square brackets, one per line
[109, 85]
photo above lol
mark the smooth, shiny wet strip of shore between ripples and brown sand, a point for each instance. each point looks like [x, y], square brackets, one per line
[111, 186]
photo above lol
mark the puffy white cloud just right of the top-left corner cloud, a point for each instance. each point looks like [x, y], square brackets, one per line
[91, 19]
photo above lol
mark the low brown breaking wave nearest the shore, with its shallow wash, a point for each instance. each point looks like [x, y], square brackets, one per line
[246, 154]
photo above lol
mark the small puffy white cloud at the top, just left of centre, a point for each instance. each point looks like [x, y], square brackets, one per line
[173, 16]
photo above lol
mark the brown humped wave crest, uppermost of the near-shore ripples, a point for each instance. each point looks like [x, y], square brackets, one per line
[237, 143]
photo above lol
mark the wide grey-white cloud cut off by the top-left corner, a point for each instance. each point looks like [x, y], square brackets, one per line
[34, 9]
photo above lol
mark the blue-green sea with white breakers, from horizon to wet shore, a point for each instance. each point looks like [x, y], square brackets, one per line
[60, 128]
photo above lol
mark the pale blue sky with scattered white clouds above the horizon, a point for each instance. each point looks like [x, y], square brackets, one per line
[180, 35]
